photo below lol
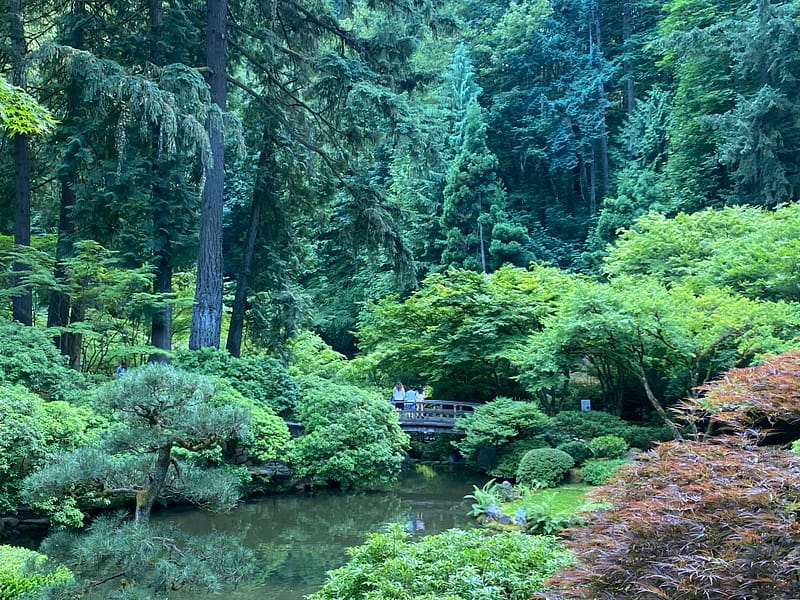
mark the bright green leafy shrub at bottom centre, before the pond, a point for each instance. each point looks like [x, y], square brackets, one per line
[454, 565]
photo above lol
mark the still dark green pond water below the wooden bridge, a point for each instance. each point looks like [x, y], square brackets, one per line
[298, 537]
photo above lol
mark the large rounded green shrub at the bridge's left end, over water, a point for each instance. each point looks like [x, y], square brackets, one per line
[352, 437]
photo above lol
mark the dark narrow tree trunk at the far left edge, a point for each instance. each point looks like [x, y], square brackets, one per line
[22, 304]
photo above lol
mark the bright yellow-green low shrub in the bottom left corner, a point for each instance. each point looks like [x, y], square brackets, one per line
[24, 571]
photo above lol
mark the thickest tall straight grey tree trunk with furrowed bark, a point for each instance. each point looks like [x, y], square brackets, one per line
[207, 308]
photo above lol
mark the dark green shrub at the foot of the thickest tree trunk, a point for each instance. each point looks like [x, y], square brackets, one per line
[260, 378]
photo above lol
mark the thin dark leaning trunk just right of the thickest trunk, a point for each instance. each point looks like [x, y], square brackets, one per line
[260, 191]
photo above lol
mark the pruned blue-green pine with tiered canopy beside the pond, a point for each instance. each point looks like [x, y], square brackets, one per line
[166, 419]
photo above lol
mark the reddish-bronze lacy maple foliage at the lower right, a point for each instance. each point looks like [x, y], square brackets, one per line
[710, 517]
